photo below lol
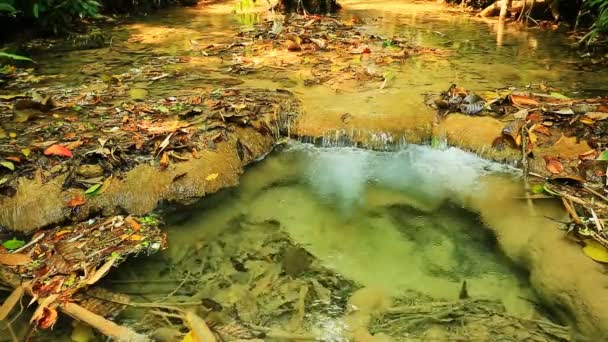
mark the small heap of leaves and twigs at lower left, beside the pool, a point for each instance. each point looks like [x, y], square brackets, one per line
[59, 262]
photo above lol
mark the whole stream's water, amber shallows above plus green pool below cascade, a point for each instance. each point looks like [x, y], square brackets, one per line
[395, 222]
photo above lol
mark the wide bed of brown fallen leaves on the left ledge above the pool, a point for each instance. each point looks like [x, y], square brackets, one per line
[91, 132]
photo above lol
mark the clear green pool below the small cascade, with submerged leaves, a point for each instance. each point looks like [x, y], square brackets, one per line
[389, 222]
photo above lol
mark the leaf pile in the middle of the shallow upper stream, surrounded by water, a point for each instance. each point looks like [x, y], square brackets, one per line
[333, 50]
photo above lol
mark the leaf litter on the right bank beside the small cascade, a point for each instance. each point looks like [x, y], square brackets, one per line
[536, 120]
